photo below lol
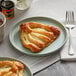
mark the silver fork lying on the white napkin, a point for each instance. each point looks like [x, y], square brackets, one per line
[70, 25]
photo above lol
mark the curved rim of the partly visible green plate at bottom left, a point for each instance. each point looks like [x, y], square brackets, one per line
[12, 59]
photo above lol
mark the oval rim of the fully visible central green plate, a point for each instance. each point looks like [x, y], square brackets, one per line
[39, 17]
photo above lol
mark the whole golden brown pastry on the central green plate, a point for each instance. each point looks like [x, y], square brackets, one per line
[37, 36]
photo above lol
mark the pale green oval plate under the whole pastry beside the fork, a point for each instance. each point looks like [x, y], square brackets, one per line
[55, 46]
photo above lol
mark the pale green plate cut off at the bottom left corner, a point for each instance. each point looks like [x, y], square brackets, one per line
[27, 71]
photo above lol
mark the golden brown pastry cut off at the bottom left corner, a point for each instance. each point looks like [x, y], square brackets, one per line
[11, 68]
